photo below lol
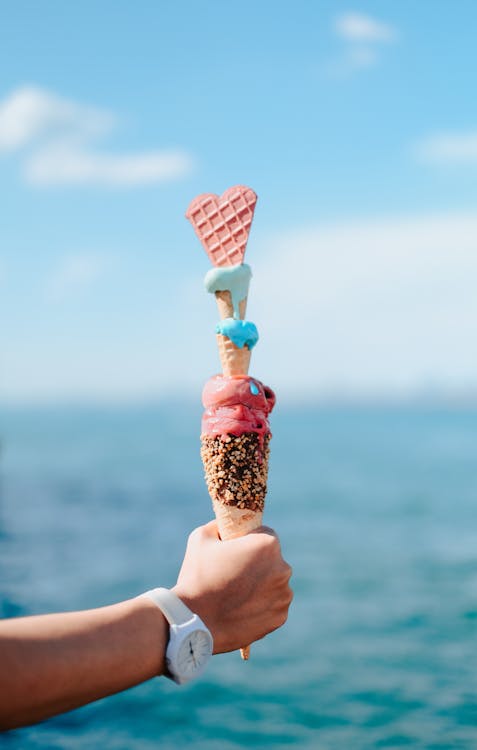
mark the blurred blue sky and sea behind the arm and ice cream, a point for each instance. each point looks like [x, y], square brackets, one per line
[356, 124]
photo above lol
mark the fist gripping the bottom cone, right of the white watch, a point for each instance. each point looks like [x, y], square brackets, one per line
[239, 587]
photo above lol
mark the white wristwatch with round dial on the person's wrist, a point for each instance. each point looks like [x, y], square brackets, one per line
[190, 641]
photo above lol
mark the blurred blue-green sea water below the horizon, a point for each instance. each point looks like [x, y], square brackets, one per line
[376, 508]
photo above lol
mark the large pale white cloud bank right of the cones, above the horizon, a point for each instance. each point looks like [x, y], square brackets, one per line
[369, 307]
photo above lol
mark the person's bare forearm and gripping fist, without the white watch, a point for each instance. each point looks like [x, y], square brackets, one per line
[53, 663]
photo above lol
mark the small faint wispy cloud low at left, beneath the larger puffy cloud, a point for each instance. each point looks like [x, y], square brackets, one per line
[73, 274]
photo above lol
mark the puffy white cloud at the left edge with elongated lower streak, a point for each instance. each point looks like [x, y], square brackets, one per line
[54, 137]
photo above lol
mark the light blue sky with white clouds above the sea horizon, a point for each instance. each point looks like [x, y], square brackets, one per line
[356, 125]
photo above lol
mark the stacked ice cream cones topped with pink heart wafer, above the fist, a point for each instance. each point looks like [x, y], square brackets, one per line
[235, 429]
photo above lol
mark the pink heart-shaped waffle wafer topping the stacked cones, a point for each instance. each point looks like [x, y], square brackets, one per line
[222, 223]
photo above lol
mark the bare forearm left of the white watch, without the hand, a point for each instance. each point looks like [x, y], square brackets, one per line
[53, 663]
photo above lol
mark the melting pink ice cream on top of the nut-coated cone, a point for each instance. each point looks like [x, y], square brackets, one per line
[236, 405]
